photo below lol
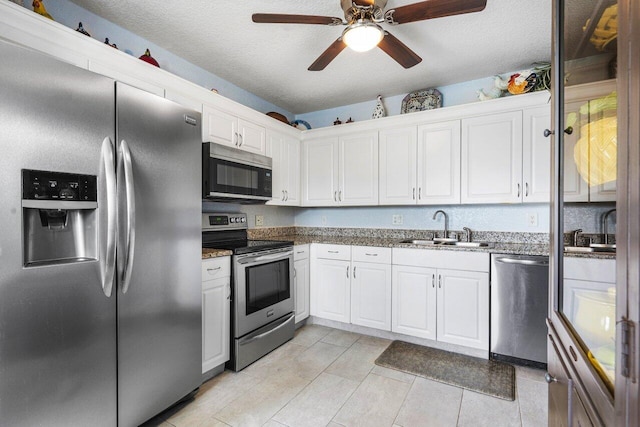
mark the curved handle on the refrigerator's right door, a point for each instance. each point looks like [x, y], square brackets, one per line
[125, 169]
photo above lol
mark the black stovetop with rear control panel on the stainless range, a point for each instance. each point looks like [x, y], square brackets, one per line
[229, 231]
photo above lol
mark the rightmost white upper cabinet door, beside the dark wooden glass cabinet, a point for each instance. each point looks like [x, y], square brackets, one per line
[536, 161]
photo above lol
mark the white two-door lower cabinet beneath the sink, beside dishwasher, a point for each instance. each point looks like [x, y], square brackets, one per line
[441, 295]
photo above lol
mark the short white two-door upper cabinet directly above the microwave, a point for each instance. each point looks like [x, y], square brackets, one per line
[228, 129]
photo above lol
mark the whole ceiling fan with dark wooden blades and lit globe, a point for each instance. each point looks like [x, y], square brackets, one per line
[363, 32]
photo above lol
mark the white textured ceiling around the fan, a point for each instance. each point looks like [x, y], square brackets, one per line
[271, 60]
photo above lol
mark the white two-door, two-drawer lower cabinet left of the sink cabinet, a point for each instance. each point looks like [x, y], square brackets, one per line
[352, 284]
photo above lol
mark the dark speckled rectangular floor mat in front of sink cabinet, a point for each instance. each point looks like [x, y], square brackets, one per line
[484, 376]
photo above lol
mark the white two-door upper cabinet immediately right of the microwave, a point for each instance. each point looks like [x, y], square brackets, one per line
[285, 152]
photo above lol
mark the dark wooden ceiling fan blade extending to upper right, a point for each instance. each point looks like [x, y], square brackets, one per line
[430, 9]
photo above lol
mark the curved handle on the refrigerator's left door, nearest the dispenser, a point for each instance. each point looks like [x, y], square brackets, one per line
[109, 265]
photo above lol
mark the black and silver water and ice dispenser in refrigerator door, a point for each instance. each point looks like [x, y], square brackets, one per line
[59, 217]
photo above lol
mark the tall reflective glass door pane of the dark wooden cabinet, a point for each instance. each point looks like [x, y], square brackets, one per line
[586, 170]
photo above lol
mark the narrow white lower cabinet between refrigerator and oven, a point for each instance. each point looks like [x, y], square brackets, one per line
[216, 312]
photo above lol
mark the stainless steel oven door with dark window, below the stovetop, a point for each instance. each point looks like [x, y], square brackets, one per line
[263, 290]
